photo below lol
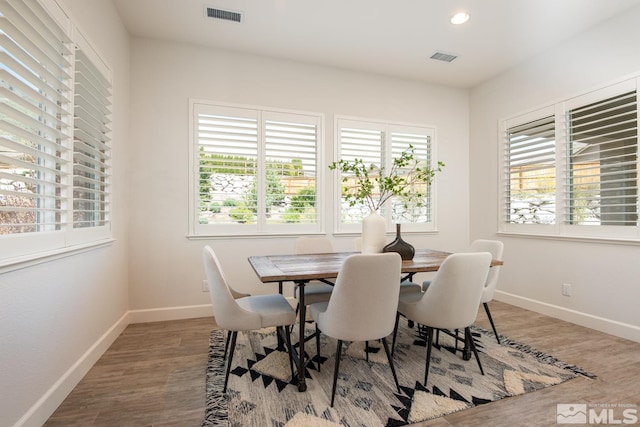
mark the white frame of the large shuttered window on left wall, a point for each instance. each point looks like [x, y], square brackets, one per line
[27, 247]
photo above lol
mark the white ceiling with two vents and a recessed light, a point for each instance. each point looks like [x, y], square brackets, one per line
[388, 37]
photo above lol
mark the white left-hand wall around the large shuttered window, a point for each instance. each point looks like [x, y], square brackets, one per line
[56, 318]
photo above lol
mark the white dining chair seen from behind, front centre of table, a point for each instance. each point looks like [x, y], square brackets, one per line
[362, 306]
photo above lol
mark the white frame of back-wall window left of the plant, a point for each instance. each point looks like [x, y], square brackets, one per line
[261, 227]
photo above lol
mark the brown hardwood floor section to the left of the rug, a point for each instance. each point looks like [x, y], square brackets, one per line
[152, 375]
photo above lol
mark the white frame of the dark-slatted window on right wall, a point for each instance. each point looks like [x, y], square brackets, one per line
[561, 229]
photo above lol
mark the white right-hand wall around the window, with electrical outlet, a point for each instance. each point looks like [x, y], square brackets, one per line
[604, 276]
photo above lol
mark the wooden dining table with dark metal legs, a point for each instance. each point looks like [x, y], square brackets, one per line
[303, 268]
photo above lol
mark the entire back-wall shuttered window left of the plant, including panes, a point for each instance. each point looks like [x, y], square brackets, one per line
[254, 170]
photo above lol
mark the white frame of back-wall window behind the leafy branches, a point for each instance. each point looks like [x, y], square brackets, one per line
[387, 127]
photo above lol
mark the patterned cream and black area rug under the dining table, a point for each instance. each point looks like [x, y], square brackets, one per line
[259, 392]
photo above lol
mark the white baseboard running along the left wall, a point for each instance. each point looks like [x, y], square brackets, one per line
[38, 414]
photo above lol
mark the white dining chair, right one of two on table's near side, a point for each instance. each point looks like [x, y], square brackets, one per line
[450, 302]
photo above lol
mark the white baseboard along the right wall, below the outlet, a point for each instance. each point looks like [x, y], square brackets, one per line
[613, 327]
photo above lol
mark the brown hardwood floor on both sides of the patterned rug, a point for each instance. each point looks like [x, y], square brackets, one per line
[154, 373]
